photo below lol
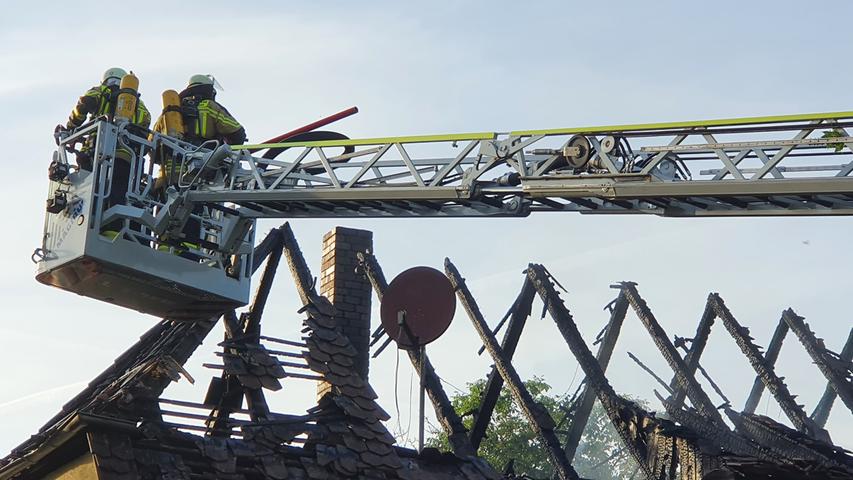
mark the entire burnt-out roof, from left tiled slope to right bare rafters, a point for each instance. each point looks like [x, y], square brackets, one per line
[121, 426]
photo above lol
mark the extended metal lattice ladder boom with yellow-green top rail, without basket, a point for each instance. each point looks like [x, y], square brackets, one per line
[739, 167]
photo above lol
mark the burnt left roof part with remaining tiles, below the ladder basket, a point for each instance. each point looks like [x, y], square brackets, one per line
[121, 426]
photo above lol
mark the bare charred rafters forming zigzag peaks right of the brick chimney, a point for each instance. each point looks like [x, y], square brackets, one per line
[691, 441]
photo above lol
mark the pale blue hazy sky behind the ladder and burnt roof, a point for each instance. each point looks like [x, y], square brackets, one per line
[446, 67]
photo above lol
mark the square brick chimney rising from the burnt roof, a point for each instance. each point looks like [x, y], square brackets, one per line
[348, 291]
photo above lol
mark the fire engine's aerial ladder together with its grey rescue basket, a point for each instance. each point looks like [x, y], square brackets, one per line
[759, 166]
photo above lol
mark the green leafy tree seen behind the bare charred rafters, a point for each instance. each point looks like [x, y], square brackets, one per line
[509, 436]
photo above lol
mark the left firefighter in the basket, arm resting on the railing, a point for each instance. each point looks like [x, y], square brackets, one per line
[101, 100]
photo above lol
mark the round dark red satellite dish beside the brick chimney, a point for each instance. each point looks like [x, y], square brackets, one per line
[417, 307]
